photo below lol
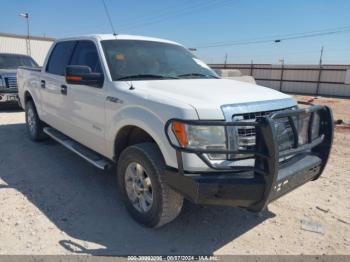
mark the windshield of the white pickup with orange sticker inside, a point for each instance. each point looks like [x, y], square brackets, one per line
[138, 60]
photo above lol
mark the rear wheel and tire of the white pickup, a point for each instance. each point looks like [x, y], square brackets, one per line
[33, 123]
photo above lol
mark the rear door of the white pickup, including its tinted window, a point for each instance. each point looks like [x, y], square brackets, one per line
[54, 103]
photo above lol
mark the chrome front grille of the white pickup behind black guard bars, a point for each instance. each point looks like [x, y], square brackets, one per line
[245, 137]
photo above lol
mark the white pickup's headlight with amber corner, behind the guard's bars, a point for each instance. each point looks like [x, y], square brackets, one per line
[201, 137]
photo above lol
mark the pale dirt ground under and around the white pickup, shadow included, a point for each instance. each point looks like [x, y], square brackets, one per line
[53, 202]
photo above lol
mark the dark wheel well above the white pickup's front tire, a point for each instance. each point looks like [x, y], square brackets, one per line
[130, 135]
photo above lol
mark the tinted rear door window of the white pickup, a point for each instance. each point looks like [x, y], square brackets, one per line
[60, 57]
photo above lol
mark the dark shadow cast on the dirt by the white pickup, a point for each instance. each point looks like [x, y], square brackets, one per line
[84, 203]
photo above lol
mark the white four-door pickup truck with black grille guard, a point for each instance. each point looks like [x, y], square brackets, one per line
[173, 128]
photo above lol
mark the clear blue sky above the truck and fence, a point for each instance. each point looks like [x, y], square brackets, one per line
[197, 23]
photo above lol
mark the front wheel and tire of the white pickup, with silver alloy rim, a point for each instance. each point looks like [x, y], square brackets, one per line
[149, 200]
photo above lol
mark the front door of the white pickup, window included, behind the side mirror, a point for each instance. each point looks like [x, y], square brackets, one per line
[86, 104]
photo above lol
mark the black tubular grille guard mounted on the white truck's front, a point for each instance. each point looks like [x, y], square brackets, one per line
[266, 152]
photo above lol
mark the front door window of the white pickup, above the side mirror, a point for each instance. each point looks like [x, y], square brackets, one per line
[86, 54]
